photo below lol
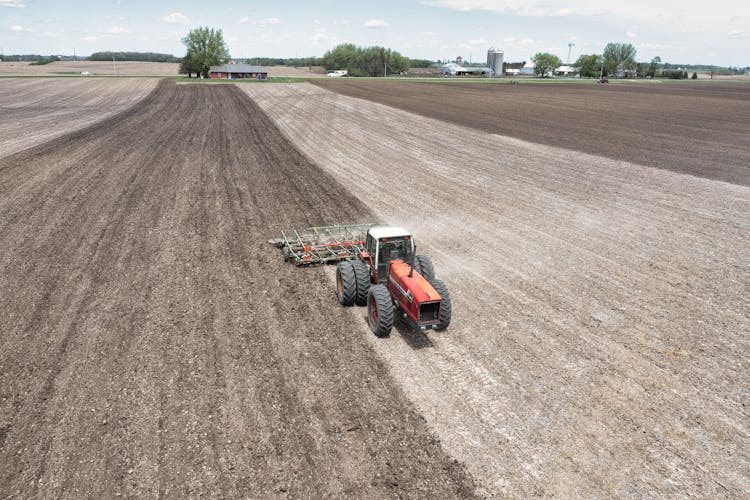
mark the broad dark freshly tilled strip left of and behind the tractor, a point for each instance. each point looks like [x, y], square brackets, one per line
[153, 344]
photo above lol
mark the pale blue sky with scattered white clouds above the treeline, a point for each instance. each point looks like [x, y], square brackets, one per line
[688, 32]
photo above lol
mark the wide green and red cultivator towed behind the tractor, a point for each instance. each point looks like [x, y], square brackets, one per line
[319, 245]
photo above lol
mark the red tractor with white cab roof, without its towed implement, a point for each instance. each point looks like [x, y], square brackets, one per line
[388, 276]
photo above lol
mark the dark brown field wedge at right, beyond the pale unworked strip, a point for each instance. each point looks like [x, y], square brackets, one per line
[696, 128]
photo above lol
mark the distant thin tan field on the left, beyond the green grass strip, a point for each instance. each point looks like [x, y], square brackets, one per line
[101, 68]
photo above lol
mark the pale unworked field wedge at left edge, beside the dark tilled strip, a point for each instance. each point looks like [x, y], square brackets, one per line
[33, 111]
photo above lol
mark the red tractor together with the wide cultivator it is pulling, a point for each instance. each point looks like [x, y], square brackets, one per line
[378, 267]
